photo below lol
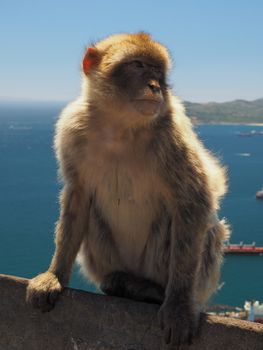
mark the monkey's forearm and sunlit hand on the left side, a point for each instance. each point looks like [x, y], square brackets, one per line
[44, 289]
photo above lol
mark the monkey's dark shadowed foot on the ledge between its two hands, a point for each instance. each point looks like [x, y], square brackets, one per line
[127, 285]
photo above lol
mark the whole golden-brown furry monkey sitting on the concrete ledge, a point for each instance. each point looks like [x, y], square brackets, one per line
[141, 193]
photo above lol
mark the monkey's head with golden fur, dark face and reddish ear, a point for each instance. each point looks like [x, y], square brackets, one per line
[126, 73]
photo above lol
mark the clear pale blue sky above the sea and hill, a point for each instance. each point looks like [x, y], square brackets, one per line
[216, 45]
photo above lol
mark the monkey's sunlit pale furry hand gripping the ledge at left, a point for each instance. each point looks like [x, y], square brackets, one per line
[43, 291]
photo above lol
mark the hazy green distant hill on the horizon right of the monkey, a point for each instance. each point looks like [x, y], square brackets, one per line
[238, 111]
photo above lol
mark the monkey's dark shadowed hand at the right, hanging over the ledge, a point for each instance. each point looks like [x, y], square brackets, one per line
[179, 323]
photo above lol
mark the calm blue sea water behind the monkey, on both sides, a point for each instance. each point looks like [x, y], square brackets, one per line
[29, 199]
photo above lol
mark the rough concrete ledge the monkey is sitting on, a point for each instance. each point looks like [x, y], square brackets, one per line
[86, 321]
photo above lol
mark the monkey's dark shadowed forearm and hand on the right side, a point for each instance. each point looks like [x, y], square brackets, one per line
[178, 315]
